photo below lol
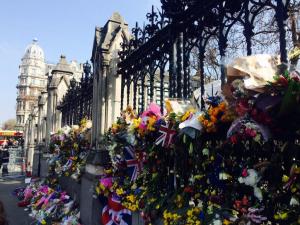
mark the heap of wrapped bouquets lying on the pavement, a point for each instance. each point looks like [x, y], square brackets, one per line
[48, 204]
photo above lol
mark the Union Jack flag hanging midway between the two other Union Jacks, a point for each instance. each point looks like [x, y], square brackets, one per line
[134, 162]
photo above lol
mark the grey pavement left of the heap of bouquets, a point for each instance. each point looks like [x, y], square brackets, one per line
[15, 214]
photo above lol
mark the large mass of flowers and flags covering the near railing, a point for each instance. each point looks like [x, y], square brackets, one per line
[237, 162]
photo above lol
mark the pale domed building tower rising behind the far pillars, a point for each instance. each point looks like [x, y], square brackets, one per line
[32, 80]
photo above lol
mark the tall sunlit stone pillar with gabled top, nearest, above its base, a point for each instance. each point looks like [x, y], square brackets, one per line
[107, 82]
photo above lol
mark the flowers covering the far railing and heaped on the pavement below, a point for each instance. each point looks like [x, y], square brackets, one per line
[45, 200]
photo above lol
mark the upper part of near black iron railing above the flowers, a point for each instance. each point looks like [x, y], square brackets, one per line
[180, 26]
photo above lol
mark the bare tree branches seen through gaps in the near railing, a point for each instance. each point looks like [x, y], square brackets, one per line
[265, 40]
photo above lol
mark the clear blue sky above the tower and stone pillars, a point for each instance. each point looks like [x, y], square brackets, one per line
[61, 26]
